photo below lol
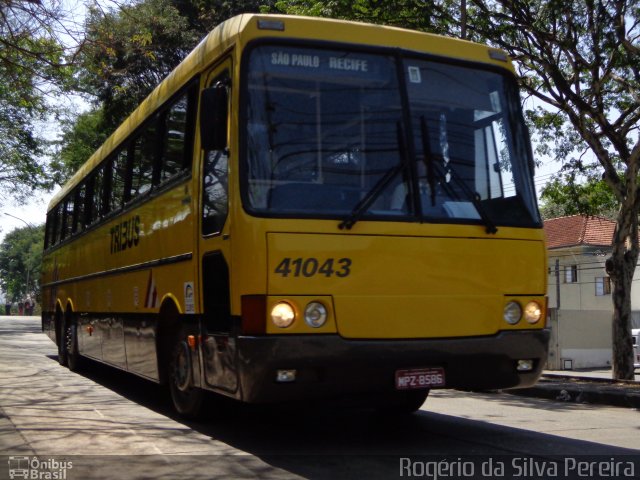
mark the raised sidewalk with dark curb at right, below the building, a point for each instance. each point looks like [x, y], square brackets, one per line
[585, 386]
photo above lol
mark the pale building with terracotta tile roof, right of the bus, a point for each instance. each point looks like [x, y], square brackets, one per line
[580, 306]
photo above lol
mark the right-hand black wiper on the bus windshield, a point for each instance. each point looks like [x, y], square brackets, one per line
[433, 169]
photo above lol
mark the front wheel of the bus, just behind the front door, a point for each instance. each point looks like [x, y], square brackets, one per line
[187, 400]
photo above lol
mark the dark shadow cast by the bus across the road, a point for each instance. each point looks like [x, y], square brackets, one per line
[320, 428]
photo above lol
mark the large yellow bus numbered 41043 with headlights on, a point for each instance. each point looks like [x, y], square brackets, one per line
[308, 209]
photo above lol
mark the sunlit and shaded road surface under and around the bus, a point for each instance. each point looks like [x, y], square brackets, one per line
[108, 424]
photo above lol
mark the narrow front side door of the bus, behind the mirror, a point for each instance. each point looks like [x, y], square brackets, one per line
[218, 347]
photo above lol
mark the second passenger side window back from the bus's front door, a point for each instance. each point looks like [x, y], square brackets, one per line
[144, 155]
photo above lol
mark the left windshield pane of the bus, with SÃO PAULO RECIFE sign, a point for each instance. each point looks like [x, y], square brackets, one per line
[322, 129]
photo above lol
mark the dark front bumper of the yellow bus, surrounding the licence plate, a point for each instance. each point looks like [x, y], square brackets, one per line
[329, 366]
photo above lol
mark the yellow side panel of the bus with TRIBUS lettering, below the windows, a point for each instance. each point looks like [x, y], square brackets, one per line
[166, 229]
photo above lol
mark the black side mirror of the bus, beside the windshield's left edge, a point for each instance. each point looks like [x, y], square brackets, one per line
[214, 109]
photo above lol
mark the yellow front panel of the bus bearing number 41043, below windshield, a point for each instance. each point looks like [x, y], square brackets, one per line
[413, 286]
